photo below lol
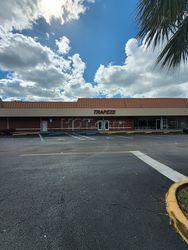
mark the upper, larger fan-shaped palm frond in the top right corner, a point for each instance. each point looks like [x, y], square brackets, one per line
[157, 19]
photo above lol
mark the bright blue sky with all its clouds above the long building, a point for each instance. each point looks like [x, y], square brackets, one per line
[62, 50]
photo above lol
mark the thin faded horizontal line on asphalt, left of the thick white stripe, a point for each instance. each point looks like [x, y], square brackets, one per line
[76, 153]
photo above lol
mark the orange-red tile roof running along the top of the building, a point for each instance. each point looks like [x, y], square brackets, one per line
[103, 103]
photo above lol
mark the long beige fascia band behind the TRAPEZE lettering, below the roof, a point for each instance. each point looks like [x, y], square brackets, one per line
[90, 112]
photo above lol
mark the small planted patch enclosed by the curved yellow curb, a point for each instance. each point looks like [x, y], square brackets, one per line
[182, 197]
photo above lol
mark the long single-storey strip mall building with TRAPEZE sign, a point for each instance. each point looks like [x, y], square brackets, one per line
[95, 114]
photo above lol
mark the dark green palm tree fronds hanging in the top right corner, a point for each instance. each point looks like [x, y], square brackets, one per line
[165, 20]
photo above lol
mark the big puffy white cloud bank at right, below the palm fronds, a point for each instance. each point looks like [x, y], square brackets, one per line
[140, 77]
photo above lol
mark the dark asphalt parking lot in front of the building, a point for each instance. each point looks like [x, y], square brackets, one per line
[89, 192]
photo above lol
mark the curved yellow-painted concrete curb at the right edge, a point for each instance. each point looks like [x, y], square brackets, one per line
[177, 217]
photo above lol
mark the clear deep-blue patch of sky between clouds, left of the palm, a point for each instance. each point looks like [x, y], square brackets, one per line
[99, 36]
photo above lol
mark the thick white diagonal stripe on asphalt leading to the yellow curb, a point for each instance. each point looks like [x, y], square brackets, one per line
[161, 168]
